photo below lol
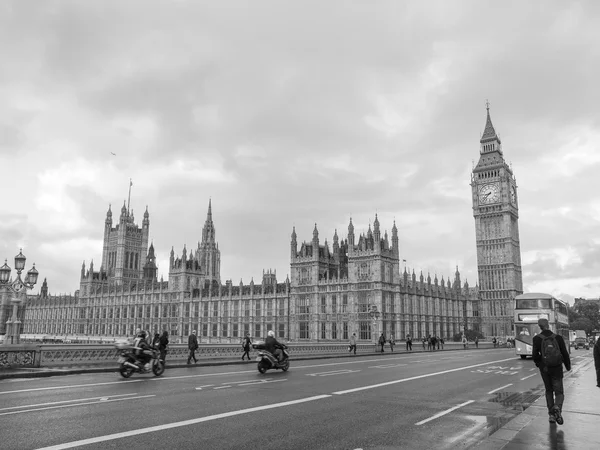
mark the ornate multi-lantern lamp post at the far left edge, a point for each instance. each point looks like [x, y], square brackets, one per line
[17, 287]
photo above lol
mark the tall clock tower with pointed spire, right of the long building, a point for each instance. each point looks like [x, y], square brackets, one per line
[496, 213]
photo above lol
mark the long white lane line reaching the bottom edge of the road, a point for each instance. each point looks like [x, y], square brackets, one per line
[167, 426]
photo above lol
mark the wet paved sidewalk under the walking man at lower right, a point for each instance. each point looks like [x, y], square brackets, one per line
[531, 429]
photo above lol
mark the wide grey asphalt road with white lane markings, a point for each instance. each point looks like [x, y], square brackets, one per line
[438, 400]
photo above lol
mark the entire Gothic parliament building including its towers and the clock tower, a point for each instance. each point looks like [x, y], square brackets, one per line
[354, 286]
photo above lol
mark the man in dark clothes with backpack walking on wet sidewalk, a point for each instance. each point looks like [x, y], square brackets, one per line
[549, 355]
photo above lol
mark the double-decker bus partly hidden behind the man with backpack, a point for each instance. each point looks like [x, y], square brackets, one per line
[531, 307]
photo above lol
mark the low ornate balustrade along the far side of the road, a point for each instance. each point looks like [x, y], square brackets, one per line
[98, 355]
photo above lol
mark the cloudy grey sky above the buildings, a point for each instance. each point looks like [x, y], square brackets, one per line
[291, 114]
